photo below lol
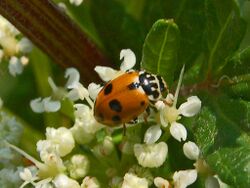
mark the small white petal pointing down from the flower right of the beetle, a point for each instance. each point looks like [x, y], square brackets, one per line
[178, 131]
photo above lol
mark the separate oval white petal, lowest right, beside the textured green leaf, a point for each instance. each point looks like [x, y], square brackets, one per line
[191, 150]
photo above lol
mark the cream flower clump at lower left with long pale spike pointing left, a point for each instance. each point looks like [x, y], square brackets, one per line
[53, 171]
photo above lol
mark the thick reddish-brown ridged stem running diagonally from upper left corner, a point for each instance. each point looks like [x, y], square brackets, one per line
[50, 29]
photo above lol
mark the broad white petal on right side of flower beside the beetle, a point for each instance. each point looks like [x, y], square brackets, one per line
[191, 107]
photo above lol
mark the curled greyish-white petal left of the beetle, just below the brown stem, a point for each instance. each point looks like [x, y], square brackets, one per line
[73, 78]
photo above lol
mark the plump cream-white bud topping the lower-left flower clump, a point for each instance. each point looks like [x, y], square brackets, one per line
[62, 138]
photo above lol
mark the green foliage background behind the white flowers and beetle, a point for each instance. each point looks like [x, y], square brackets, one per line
[210, 37]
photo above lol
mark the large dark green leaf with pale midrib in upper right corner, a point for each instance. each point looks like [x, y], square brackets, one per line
[222, 35]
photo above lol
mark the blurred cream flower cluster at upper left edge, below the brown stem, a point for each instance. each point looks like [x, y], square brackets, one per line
[13, 48]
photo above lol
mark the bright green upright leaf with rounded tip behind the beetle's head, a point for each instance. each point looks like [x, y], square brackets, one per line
[160, 49]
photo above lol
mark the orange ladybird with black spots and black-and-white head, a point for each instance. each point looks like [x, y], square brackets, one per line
[124, 98]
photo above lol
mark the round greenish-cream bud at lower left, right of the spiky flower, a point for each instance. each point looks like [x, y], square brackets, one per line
[78, 166]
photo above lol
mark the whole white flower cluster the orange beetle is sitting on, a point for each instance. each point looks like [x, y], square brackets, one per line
[56, 171]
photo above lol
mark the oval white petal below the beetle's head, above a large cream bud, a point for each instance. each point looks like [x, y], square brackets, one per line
[152, 134]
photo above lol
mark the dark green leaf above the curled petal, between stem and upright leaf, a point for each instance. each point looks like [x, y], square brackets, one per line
[116, 28]
